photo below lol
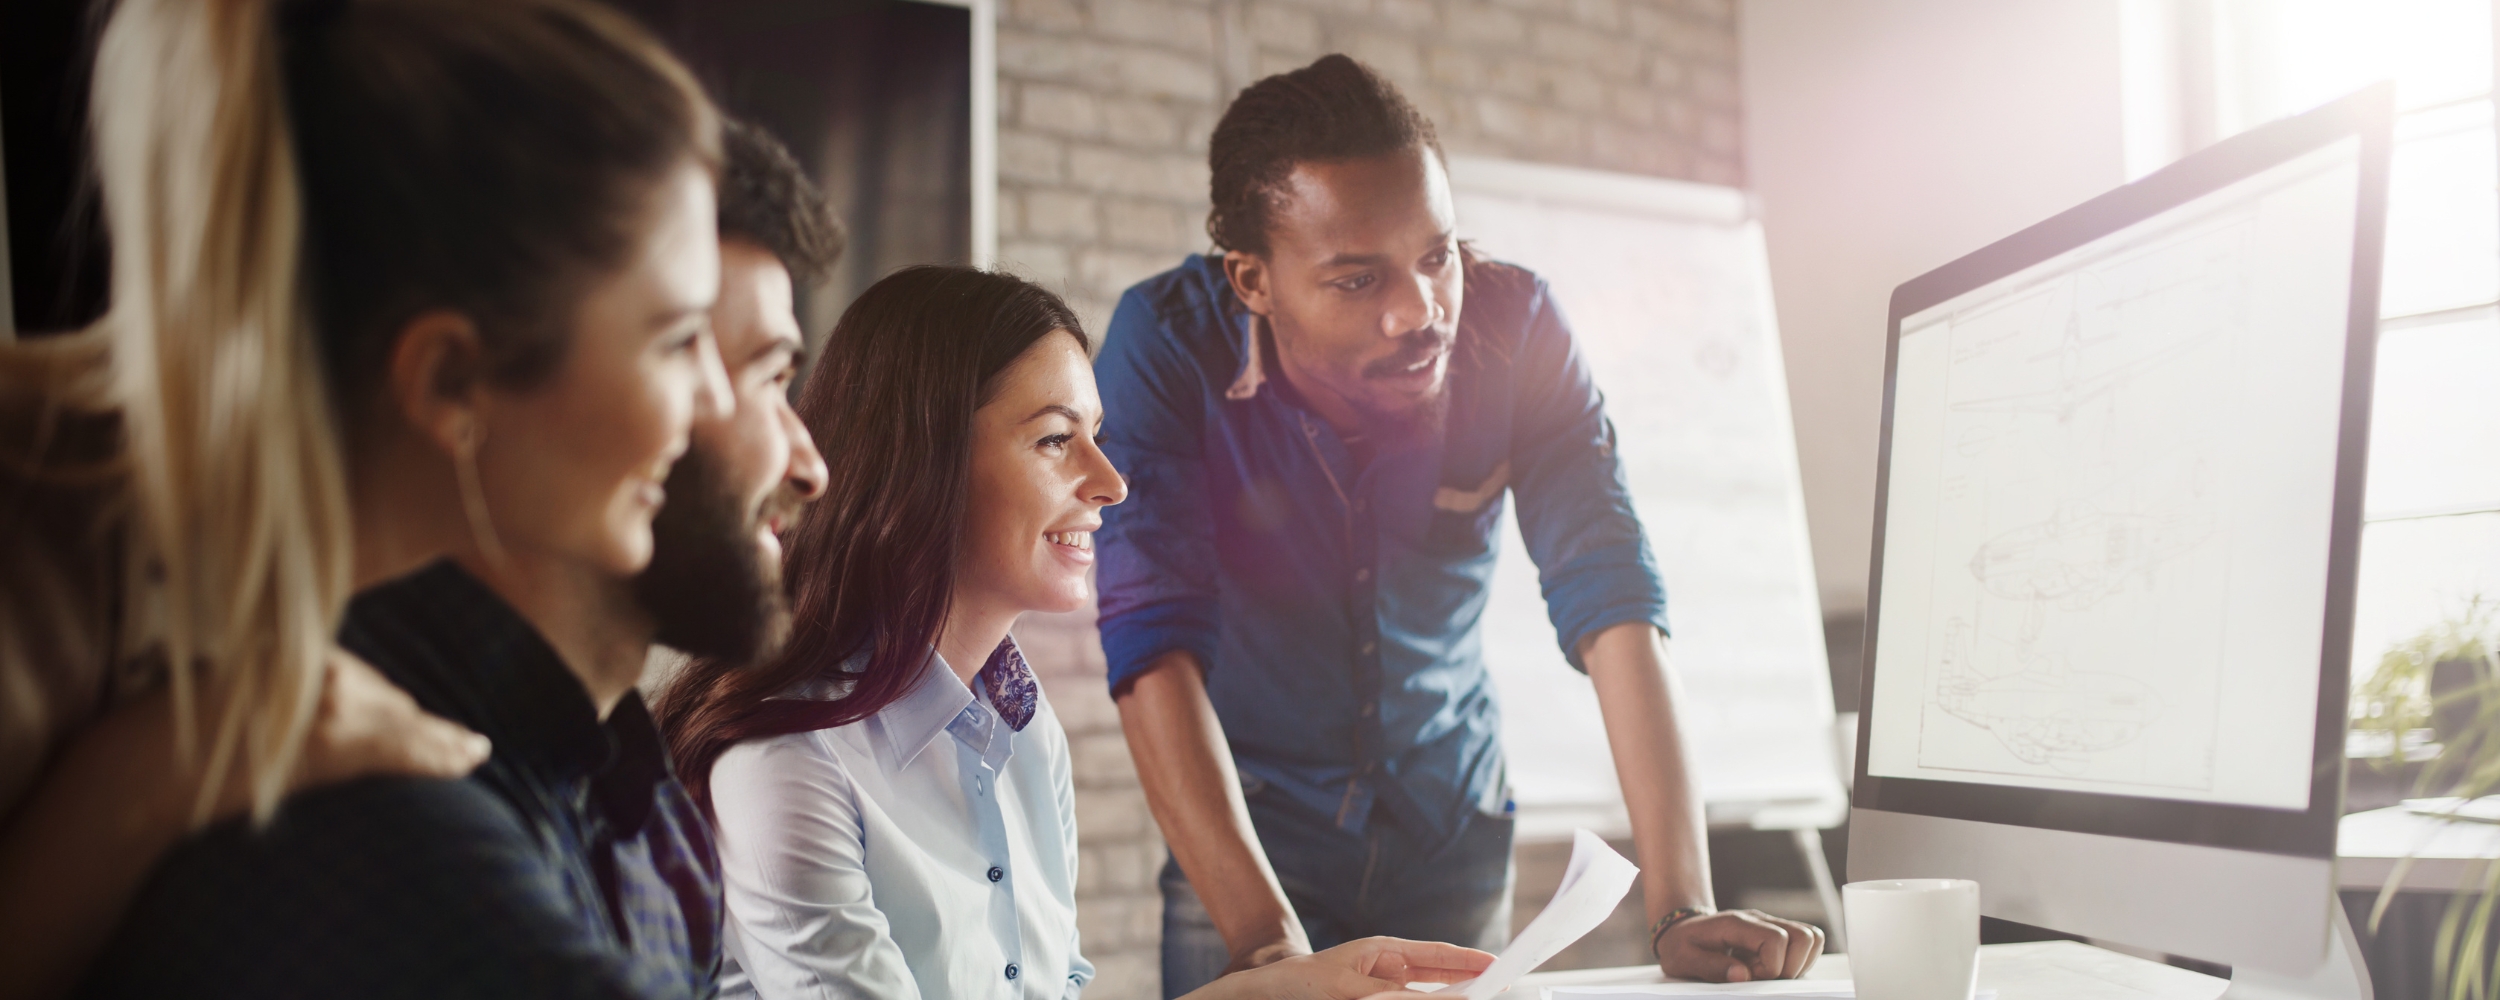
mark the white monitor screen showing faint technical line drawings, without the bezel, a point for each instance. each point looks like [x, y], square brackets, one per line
[2109, 506]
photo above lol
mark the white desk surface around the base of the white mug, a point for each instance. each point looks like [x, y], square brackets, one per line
[2034, 971]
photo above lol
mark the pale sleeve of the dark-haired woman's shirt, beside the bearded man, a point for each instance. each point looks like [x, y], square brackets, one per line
[796, 874]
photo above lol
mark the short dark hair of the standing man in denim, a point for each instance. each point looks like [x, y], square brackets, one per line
[1334, 109]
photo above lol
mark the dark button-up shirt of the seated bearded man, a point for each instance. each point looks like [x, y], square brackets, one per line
[569, 866]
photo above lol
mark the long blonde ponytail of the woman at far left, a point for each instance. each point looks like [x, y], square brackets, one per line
[241, 534]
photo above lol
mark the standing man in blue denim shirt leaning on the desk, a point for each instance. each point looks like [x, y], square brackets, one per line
[1321, 429]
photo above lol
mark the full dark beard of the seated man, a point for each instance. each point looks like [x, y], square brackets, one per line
[709, 589]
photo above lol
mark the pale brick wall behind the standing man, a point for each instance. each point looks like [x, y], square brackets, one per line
[1101, 156]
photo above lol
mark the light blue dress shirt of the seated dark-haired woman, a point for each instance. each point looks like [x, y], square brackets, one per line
[926, 851]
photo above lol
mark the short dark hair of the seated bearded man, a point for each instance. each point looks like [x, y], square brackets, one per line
[769, 201]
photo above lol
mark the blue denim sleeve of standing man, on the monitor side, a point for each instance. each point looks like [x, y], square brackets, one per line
[1576, 511]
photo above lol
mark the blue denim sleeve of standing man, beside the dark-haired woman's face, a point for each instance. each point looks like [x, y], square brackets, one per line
[1156, 566]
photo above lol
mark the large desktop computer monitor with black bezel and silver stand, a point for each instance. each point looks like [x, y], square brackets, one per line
[2116, 536]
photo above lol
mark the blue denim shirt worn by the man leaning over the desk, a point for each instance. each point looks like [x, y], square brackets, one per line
[1334, 606]
